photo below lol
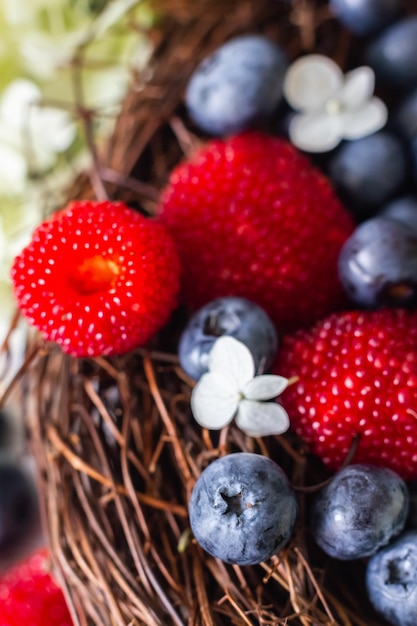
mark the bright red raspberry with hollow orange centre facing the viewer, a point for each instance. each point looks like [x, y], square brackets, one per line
[97, 278]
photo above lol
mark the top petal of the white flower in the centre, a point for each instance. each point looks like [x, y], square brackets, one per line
[231, 359]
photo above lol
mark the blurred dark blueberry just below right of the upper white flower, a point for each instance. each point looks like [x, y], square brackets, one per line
[366, 172]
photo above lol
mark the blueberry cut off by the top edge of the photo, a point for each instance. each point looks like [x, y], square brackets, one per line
[363, 17]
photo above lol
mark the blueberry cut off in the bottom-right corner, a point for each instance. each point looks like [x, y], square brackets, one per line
[391, 580]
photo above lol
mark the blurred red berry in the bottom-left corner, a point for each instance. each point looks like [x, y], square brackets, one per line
[30, 597]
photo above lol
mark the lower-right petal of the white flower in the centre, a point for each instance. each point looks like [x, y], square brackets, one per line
[259, 419]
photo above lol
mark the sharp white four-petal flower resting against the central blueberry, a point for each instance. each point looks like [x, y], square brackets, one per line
[230, 390]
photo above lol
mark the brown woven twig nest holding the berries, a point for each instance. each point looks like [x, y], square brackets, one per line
[117, 449]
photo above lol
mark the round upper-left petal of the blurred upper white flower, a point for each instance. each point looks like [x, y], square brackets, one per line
[310, 81]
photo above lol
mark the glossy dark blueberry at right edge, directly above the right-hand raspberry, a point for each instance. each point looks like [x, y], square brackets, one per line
[378, 264]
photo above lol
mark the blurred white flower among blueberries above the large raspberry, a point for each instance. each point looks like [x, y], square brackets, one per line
[332, 106]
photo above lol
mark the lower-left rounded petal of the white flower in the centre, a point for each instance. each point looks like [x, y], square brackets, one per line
[212, 402]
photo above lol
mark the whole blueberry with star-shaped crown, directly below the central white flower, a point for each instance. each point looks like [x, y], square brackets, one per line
[242, 509]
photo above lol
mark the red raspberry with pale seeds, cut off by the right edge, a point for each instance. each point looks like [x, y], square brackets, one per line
[357, 374]
